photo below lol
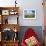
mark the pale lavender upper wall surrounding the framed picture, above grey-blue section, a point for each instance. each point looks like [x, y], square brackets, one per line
[33, 4]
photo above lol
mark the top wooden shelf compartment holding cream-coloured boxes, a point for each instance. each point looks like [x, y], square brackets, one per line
[9, 10]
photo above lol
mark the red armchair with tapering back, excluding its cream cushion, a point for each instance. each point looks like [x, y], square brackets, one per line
[29, 33]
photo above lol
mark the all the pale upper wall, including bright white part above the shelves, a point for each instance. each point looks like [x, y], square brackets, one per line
[31, 4]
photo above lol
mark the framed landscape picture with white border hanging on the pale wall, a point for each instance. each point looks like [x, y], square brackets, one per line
[29, 14]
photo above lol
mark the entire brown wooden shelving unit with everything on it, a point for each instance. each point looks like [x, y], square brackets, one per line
[7, 16]
